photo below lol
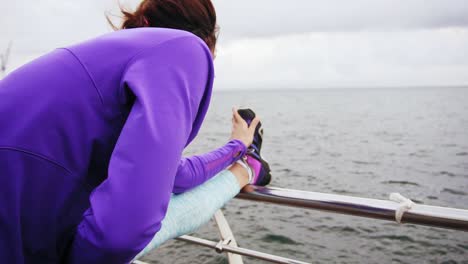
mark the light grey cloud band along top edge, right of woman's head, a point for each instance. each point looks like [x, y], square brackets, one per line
[246, 18]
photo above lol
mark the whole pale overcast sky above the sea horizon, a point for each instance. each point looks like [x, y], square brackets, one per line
[284, 44]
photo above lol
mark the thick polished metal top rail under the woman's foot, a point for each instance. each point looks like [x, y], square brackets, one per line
[372, 208]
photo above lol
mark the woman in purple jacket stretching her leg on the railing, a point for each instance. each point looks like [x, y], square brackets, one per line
[92, 136]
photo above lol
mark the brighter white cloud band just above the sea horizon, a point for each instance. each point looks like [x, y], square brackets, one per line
[344, 59]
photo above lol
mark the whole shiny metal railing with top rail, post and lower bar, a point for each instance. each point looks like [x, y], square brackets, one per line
[420, 214]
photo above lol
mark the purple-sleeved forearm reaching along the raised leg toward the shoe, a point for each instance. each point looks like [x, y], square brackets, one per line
[196, 170]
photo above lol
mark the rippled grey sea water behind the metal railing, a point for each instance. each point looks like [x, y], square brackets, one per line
[358, 142]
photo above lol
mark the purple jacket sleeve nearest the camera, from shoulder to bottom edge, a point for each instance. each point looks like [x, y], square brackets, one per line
[169, 82]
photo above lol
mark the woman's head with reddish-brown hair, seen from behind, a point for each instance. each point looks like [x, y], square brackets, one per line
[196, 16]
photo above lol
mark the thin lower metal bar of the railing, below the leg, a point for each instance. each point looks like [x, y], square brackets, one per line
[220, 247]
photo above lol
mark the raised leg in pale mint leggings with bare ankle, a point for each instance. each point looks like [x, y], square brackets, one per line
[190, 210]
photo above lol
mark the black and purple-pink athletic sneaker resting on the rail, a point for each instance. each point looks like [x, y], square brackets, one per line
[261, 169]
